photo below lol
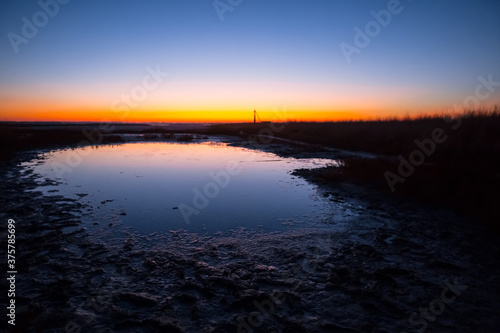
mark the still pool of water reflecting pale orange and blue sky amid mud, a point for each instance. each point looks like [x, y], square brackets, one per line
[202, 187]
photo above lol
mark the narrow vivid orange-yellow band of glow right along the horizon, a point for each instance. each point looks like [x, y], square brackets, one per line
[34, 110]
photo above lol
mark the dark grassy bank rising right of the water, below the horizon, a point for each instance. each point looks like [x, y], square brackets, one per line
[457, 160]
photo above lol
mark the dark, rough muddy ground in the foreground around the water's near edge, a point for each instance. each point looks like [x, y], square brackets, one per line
[396, 267]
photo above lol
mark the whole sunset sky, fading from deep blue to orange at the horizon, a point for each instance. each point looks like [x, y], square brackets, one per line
[212, 61]
